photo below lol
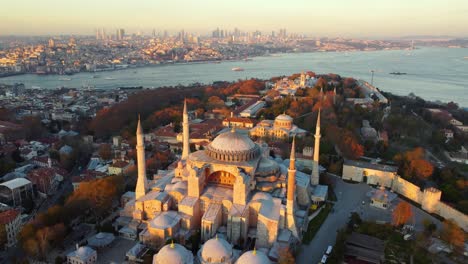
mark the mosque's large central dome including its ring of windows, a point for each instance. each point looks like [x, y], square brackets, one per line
[233, 146]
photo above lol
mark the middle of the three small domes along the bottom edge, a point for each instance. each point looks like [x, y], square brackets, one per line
[216, 250]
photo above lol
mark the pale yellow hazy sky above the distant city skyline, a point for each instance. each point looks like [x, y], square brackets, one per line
[325, 18]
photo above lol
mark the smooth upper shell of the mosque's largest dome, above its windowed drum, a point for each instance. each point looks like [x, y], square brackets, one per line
[232, 141]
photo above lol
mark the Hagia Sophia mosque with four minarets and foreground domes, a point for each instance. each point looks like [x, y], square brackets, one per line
[232, 192]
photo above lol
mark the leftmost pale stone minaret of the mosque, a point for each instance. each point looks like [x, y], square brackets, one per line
[142, 183]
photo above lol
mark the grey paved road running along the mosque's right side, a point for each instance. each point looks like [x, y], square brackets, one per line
[349, 198]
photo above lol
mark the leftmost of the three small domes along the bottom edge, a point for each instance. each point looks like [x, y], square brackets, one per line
[174, 254]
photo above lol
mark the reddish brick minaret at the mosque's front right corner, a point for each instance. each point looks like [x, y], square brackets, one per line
[291, 192]
